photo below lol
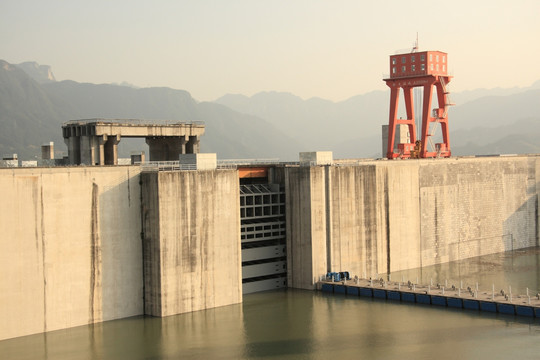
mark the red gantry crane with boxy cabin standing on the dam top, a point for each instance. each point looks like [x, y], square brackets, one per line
[425, 69]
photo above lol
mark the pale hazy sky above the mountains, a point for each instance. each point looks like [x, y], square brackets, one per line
[330, 49]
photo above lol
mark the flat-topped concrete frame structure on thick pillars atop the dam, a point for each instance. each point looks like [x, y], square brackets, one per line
[95, 141]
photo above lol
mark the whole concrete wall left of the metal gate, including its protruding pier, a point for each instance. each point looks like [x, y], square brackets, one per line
[83, 245]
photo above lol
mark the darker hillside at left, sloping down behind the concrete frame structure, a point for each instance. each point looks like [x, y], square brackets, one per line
[32, 114]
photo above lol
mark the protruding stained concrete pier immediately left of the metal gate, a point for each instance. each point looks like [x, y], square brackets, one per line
[191, 225]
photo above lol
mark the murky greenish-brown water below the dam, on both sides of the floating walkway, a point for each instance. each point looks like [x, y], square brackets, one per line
[297, 324]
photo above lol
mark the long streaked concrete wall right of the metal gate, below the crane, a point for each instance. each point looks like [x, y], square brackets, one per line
[379, 217]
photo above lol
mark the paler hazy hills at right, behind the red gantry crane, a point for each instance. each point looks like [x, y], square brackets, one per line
[352, 128]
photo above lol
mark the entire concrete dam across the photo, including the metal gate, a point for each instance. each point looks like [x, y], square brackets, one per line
[86, 244]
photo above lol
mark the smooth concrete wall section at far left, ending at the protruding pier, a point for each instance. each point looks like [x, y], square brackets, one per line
[71, 250]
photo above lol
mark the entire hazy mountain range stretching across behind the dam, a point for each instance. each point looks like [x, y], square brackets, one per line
[33, 106]
